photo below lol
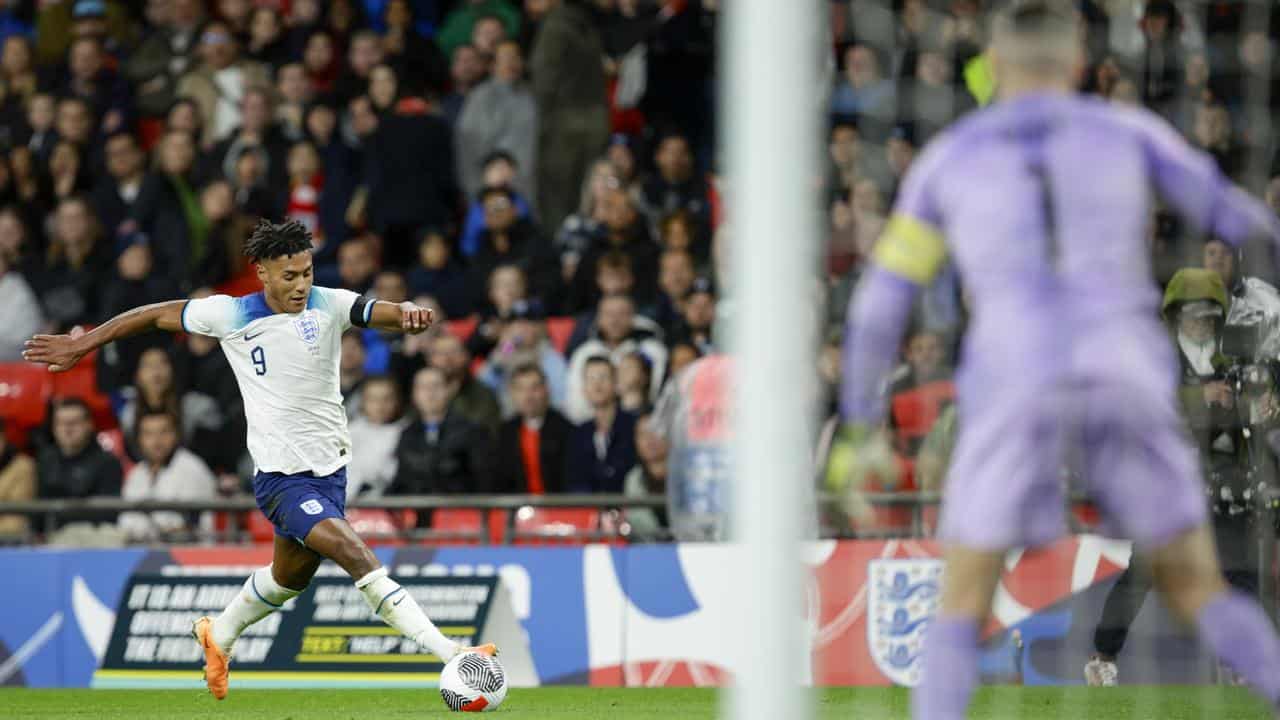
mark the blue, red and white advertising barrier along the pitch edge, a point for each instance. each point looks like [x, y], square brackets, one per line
[597, 614]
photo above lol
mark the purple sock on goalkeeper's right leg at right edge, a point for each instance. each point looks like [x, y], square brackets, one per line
[1240, 635]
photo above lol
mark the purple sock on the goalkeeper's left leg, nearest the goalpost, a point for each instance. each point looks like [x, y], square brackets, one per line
[950, 671]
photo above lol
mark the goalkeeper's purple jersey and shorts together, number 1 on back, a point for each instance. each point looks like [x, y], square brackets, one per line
[1043, 206]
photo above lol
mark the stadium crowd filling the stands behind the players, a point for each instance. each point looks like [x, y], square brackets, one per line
[541, 174]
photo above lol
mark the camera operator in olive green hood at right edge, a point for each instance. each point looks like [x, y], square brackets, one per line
[1227, 400]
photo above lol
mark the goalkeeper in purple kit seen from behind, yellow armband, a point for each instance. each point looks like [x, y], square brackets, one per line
[1043, 204]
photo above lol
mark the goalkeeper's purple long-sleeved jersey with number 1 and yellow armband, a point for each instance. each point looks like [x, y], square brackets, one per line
[1043, 206]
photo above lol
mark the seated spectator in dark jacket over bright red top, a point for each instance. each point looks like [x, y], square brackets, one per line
[533, 444]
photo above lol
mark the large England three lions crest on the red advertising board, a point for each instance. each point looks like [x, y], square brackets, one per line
[903, 596]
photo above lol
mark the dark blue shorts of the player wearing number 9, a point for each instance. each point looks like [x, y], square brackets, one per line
[296, 503]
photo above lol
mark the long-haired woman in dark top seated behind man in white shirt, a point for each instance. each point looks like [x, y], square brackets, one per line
[158, 389]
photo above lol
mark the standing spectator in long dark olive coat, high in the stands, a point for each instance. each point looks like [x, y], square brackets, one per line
[573, 107]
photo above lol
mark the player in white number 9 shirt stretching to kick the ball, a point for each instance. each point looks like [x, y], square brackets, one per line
[285, 345]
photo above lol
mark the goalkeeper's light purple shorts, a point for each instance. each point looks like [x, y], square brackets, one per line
[1005, 487]
